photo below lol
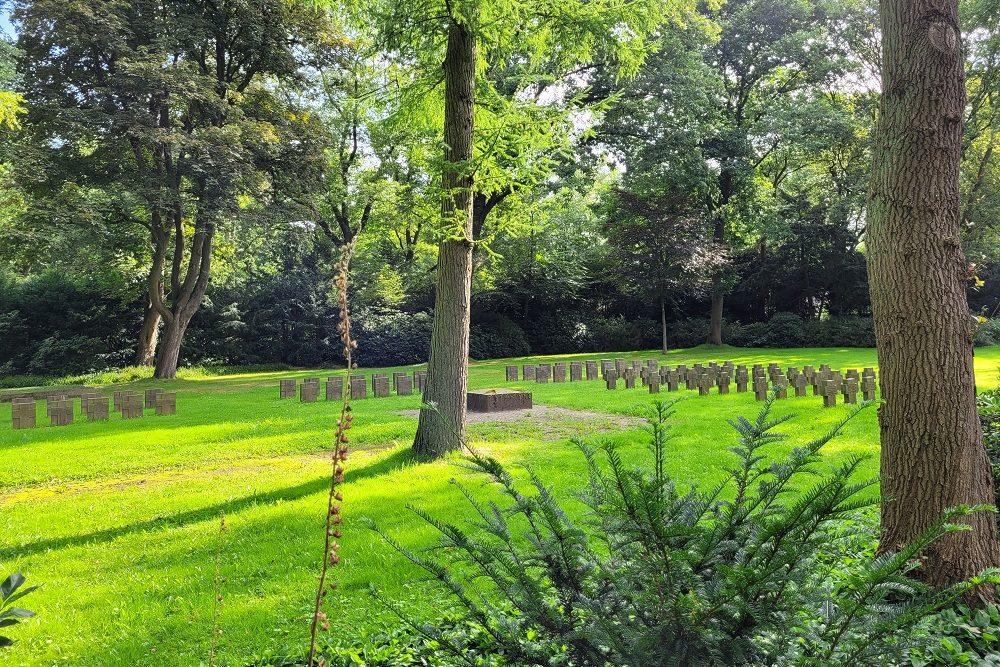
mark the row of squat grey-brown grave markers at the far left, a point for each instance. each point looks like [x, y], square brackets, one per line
[60, 409]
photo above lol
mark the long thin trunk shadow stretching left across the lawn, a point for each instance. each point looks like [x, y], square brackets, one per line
[400, 458]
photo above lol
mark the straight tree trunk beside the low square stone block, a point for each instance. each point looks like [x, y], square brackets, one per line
[442, 428]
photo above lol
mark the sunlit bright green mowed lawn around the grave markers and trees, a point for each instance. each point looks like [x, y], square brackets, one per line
[119, 521]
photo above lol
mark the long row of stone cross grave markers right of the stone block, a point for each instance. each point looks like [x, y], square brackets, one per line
[824, 381]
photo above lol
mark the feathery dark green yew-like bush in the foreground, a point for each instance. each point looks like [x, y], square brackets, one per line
[774, 567]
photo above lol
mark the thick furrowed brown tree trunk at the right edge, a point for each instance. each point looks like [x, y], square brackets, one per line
[932, 452]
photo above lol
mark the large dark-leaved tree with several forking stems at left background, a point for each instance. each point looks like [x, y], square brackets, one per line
[163, 104]
